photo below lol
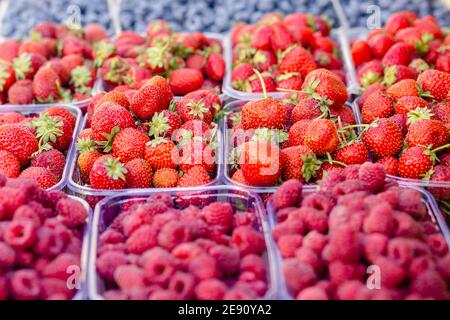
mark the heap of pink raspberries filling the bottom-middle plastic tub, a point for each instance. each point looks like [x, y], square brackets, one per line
[152, 250]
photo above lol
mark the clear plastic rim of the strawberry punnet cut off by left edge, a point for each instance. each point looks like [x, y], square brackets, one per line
[38, 108]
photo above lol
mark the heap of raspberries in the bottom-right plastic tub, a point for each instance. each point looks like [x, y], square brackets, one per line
[359, 237]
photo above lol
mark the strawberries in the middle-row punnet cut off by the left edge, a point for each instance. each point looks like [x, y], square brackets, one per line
[35, 146]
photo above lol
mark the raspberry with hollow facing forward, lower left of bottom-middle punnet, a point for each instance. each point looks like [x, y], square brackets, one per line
[158, 265]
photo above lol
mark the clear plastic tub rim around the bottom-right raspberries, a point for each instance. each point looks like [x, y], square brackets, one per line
[432, 208]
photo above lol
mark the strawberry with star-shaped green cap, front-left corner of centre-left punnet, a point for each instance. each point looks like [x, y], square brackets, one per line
[108, 173]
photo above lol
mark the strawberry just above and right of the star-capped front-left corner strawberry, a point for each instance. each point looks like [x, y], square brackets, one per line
[129, 144]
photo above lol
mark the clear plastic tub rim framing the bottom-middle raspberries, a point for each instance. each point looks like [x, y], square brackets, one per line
[109, 208]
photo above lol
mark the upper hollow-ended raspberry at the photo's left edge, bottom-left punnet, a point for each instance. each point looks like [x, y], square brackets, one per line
[20, 234]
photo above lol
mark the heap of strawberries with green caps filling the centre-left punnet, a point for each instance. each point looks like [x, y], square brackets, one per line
[143, 138]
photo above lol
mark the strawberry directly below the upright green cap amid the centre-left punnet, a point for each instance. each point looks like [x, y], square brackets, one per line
[161, 153]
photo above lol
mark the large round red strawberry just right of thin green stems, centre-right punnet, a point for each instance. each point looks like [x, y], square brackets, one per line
[384, 138]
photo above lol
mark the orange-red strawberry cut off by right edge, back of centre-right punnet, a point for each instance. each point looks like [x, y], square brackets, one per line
[436, 82]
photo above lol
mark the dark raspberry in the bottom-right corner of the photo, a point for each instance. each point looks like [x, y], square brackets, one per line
[429, 284]
